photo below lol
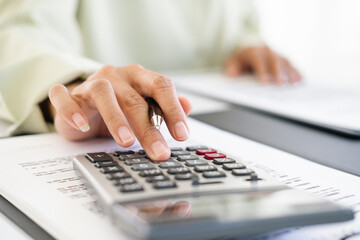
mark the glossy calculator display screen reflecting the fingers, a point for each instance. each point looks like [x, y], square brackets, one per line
[228, 207]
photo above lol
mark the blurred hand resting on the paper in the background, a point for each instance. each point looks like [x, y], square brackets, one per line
[267, 65]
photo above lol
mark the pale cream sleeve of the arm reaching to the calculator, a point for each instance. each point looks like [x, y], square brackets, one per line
[40, 45]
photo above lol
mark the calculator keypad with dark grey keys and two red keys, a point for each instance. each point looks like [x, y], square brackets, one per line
[183, 166]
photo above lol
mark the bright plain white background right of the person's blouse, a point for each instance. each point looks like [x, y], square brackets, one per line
[321, 37]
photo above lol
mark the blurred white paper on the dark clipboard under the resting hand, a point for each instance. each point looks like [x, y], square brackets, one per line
[319, 105]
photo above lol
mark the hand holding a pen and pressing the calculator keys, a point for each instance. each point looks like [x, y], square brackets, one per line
[111, 103]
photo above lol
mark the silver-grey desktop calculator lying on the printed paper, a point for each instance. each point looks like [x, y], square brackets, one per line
[198, 193]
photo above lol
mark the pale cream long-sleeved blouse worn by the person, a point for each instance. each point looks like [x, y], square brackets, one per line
[43, 42]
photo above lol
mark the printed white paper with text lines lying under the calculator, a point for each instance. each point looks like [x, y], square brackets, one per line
[38, 178]
